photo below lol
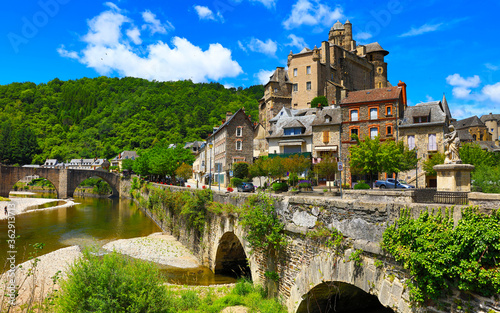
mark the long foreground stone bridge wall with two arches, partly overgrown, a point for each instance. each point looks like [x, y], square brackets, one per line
[312, 277]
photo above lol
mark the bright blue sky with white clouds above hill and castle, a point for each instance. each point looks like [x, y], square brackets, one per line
[435, 46]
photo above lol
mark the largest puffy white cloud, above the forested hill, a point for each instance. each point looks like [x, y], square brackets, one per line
[107, 50]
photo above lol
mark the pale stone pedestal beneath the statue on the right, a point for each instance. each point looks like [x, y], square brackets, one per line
[453, 177]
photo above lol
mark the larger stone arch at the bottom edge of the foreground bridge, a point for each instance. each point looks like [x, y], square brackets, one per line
[326, 274]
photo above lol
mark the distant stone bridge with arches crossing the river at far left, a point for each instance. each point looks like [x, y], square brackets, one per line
[64, 180]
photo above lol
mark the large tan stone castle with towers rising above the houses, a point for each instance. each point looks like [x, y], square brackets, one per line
[338, 66]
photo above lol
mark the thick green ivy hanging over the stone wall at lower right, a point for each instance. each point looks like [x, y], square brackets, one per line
[440, 256]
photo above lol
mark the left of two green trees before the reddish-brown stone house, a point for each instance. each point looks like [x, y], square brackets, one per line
[365, 157]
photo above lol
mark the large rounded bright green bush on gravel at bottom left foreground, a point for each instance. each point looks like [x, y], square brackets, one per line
[111, 283]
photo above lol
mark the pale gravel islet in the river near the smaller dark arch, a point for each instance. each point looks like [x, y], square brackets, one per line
[158, 248]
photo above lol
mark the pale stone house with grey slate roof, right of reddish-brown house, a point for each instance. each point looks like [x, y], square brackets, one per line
[423, 128]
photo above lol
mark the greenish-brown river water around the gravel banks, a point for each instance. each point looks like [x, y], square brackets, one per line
[92, 221]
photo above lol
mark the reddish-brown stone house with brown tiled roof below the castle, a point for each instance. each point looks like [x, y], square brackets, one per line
[373, 112]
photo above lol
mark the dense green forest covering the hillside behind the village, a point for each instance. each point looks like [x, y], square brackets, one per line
[103, 116]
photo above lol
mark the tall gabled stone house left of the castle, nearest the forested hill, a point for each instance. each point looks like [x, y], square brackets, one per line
[231, 142]
